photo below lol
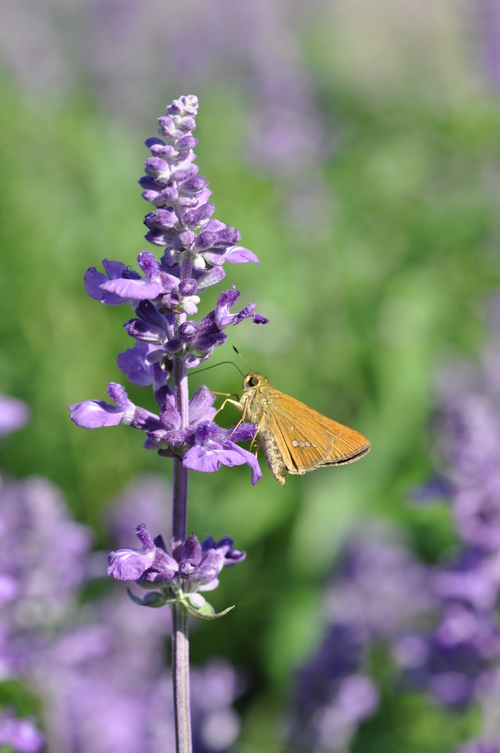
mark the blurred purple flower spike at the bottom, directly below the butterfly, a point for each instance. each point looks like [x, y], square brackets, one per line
[378, 590]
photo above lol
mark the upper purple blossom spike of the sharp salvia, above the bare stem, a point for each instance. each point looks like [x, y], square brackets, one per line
[164, 296]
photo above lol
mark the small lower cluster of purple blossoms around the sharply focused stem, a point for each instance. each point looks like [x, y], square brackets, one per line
[193, 567]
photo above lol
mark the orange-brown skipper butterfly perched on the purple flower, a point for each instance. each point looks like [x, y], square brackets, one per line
[294, 437]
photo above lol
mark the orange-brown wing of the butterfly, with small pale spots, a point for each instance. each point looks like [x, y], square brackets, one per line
[306, 439]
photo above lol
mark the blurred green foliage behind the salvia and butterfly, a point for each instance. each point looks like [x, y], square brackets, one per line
[365, 303]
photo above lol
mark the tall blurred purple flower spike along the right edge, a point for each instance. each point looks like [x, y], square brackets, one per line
[455, 660]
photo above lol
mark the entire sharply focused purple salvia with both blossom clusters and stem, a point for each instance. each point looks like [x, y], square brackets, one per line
[164, 296]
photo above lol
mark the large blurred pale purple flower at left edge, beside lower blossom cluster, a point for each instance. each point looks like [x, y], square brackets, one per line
[43, 560]
